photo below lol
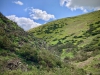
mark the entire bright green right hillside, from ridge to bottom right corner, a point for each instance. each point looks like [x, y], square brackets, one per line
[74, 39]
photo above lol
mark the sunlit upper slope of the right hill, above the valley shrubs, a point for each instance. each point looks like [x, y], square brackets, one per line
[73, 29]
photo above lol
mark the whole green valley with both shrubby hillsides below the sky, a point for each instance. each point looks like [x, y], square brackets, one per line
[67, 46]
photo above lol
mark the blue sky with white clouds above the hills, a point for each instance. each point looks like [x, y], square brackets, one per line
[32, 13]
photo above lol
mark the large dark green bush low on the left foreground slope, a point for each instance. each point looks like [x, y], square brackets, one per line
[39, 57]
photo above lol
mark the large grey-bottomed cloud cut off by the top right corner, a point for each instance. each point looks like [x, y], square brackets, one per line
[84, 5]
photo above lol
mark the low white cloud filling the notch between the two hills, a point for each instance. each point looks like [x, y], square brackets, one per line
[25, 23]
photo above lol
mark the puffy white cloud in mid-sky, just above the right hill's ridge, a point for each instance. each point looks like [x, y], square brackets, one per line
[40, 14]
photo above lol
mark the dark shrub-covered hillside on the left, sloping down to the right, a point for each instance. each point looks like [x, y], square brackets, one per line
[21, 53]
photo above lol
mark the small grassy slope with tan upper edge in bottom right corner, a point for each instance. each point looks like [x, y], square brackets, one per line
[91, 65]
